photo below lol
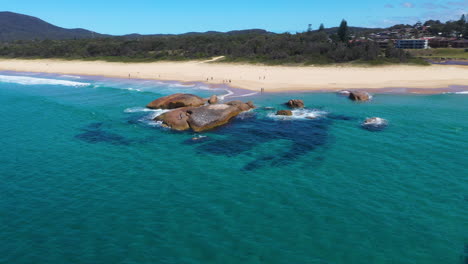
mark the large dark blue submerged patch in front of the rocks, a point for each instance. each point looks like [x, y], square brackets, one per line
[243, 135]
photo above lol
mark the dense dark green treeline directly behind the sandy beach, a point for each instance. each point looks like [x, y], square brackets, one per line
[309, 47]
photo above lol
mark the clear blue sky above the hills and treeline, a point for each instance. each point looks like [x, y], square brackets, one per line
[120, 17]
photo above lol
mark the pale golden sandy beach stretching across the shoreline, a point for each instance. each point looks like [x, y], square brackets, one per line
[255, 77]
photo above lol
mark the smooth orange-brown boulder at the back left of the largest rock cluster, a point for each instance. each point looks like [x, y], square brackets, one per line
[176, 101]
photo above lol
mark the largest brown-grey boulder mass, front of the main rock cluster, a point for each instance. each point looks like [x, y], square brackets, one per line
[203, 118]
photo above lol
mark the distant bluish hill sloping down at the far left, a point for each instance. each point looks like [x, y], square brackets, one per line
[15, 26]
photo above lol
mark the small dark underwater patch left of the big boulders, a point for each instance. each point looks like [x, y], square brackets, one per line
[94, 133]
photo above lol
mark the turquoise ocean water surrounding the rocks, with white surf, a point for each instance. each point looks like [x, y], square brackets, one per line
[86, 177]
